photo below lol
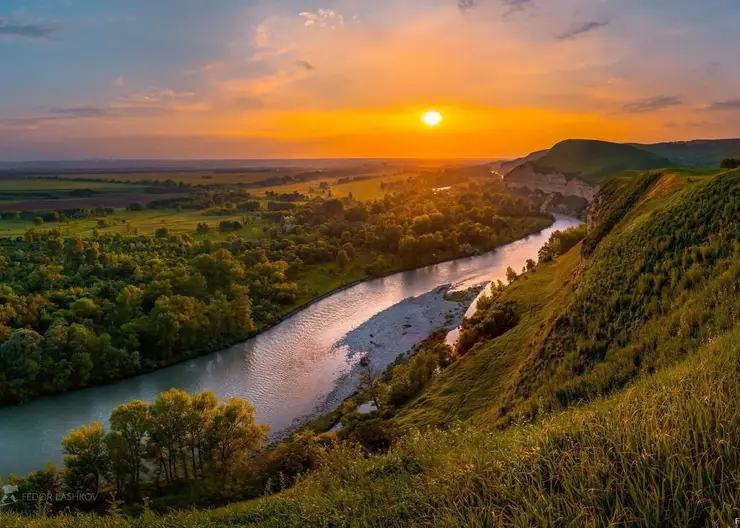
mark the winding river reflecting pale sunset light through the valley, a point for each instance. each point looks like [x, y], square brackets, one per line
[286, 372]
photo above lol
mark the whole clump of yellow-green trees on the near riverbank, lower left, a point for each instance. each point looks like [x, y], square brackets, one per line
[176, 439]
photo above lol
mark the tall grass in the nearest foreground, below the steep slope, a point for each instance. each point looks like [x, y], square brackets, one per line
[665, 452]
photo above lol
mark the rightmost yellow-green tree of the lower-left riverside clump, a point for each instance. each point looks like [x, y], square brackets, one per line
[234, 433]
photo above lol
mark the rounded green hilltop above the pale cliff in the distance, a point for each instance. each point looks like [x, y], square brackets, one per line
[596, 161]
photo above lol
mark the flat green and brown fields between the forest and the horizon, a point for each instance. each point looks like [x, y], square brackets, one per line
[119, 190]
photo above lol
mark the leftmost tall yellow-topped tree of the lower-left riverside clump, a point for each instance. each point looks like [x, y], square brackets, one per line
[86, 458]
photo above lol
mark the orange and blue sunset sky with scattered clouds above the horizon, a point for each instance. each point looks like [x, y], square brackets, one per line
[196, 79]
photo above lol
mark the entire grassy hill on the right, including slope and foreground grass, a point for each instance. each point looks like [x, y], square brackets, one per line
[613, 401]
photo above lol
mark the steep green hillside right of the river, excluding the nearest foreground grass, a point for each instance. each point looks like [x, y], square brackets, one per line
[660, 277]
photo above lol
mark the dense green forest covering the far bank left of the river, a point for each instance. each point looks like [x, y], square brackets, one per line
[85, 310]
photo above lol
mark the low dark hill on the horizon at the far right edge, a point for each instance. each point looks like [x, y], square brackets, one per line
[700, 153]
